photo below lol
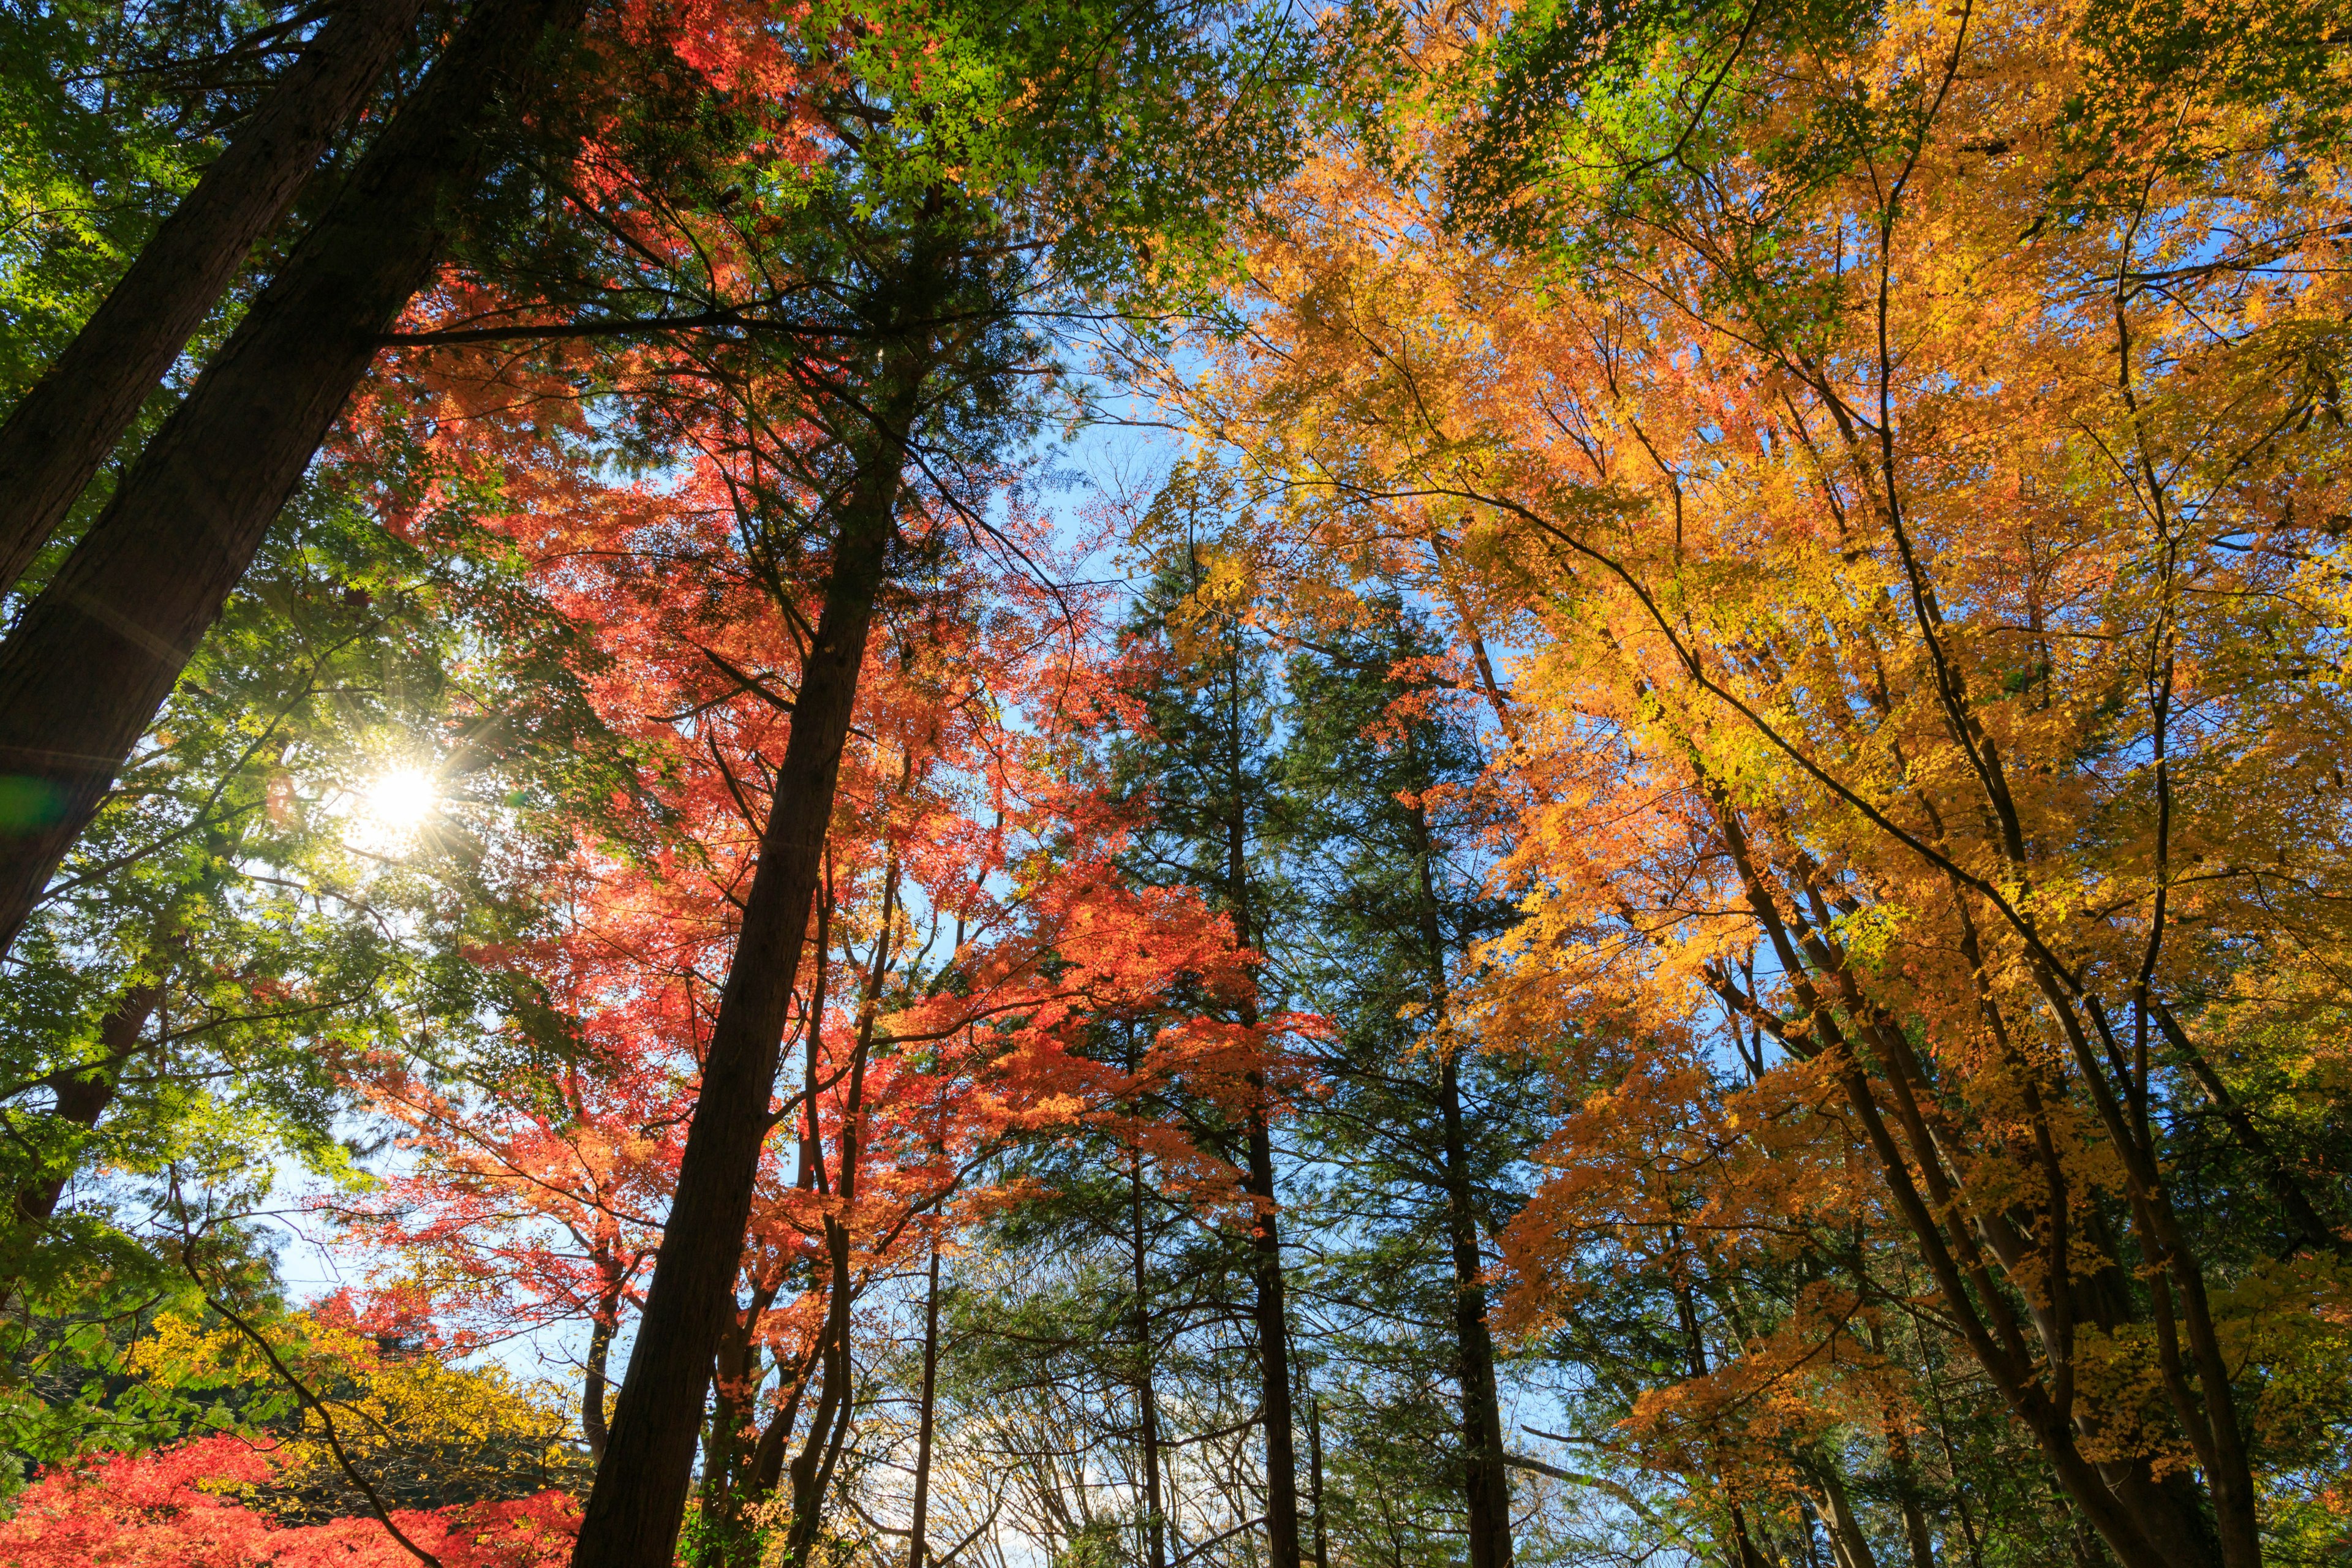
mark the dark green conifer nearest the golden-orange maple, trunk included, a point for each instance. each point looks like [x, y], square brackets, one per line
[1379, 829]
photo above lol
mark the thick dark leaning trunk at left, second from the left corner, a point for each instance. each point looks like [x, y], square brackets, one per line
[98, 652]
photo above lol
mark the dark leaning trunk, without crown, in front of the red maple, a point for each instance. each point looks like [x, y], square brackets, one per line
[641, 1489]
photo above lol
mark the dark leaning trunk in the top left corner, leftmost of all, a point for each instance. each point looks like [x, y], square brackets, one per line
[58, 436]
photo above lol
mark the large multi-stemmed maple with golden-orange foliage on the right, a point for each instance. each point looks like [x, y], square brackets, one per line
[1845, 659]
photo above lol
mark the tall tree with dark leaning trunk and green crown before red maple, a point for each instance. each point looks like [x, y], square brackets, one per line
[916, 279]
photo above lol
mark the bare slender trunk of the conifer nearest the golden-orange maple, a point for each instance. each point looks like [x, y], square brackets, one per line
[1485, 1477]
